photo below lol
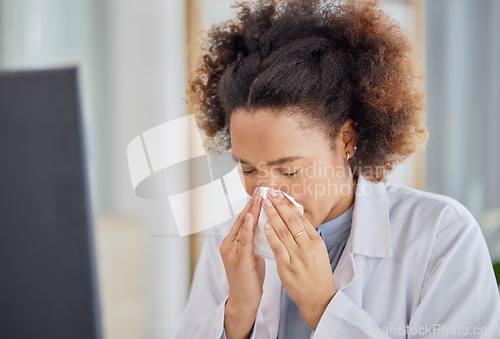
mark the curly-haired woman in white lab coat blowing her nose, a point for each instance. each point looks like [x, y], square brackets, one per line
[319, 99]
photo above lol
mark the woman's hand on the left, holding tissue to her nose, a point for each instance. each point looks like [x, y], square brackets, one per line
[245, 270]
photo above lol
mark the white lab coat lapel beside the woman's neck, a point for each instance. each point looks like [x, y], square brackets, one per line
[370, 232]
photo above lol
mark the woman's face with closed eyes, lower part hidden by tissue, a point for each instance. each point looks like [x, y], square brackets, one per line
[315, 175]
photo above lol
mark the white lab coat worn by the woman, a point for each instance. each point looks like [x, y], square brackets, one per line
[415, 265]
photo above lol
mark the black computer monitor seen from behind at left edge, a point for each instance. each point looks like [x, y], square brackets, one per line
[48, 283]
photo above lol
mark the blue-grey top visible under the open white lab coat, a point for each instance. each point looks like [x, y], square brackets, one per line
[335, 234]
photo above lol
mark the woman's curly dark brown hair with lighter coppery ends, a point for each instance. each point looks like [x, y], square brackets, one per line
[336, 60]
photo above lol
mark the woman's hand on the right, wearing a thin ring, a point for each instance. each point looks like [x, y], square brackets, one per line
[302, 263]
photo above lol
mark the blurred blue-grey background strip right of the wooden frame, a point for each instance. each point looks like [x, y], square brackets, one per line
[463, 87]
